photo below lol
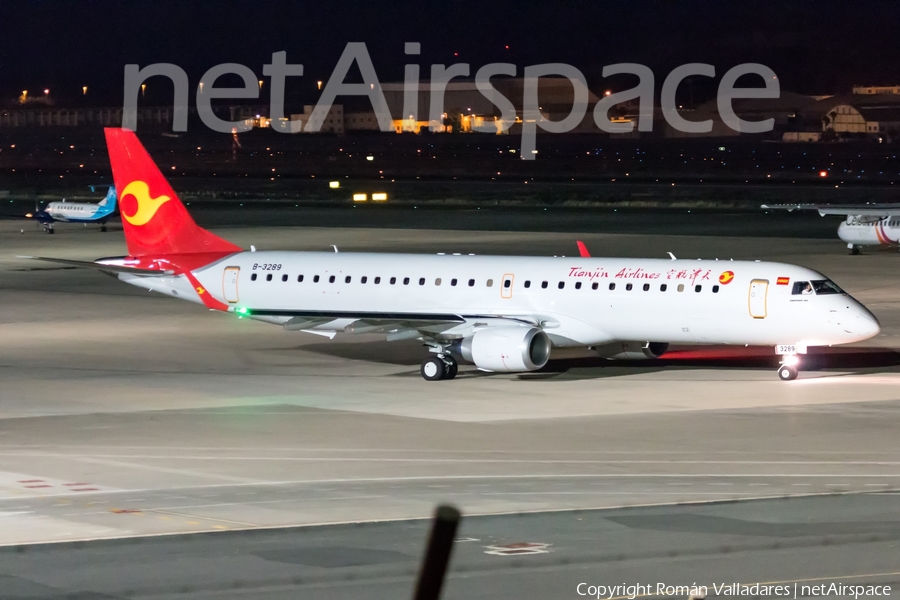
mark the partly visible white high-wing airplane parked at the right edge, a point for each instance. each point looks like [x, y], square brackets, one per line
[869, 225]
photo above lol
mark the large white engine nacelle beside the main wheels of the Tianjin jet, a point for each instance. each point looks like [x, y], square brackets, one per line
[507, 349]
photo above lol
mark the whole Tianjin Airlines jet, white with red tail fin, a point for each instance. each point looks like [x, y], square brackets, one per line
[502, 313]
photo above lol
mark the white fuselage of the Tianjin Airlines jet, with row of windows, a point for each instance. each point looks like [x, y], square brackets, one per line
[675, 301]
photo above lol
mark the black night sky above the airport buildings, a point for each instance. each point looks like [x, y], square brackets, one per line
[815, 47]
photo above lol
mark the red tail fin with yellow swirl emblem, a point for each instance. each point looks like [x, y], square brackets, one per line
[154, 219]
